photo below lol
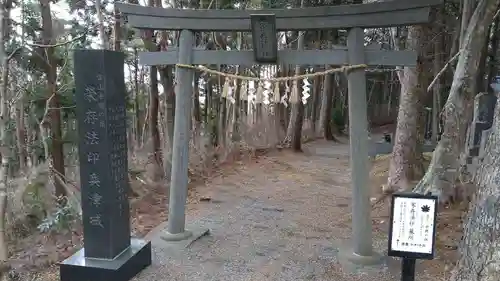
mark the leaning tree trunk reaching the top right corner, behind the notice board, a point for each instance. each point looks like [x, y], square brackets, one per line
[442, 173]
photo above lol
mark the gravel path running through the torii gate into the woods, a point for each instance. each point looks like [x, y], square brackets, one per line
[285, 217]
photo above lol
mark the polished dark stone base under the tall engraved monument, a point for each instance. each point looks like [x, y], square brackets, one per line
[123, 268]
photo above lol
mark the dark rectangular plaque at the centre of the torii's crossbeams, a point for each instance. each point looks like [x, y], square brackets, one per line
[265, 44]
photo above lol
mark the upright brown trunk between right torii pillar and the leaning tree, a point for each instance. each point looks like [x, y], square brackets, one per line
[406, 161]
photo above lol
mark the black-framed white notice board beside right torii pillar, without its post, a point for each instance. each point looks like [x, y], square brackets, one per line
[412, 230]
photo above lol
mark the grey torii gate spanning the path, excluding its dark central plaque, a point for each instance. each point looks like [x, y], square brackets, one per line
[352, 17]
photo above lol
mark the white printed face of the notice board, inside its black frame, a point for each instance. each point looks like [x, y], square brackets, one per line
[413, 225]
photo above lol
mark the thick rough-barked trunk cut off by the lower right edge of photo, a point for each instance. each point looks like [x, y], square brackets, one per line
[479, 249]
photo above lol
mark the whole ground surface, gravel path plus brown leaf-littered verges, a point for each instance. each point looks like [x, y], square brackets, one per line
[287, 215]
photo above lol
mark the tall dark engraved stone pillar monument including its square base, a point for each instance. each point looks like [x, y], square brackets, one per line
[109, 253]
